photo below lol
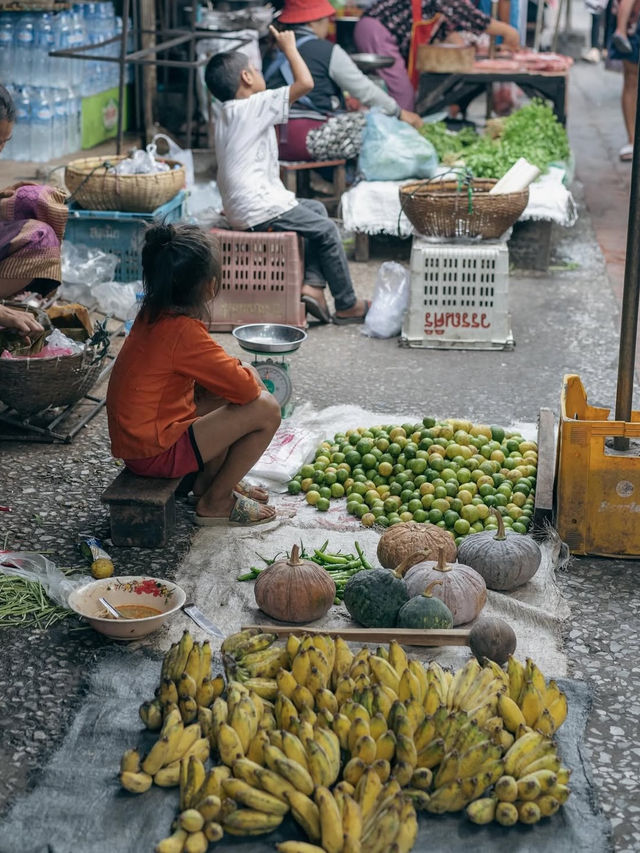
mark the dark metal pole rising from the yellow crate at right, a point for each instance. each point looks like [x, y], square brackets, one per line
[630, 296]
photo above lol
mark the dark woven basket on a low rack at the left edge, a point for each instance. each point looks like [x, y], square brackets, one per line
[31, 385]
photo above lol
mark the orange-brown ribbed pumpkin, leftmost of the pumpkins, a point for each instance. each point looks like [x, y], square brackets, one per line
[294, 590]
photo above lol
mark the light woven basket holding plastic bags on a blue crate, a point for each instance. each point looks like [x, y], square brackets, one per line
[94, 188]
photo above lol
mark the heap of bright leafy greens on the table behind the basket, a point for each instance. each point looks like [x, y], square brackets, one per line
[532, 132]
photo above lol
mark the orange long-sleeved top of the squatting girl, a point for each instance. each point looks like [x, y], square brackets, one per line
[150, 397]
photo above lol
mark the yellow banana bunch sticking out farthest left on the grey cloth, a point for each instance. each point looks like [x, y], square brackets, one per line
[161, 765]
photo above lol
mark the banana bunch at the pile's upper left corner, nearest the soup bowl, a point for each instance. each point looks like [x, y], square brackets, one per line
[185, 683]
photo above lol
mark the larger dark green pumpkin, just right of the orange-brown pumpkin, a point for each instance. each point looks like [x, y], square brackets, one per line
[373, 598]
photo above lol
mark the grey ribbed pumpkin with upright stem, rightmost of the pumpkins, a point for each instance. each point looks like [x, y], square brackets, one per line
[504, 559]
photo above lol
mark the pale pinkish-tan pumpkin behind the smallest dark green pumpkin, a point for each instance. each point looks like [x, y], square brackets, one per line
[463, 590]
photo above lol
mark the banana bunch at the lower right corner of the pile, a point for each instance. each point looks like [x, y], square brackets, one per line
[534, 784]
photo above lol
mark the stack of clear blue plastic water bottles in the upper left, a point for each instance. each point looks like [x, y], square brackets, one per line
[48, 90]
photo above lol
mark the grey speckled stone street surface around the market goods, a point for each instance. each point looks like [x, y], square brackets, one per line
[564, 321]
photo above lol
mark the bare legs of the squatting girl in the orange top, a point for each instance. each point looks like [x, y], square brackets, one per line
[243, 433]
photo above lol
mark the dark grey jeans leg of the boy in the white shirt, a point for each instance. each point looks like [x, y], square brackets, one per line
[309, 219]
